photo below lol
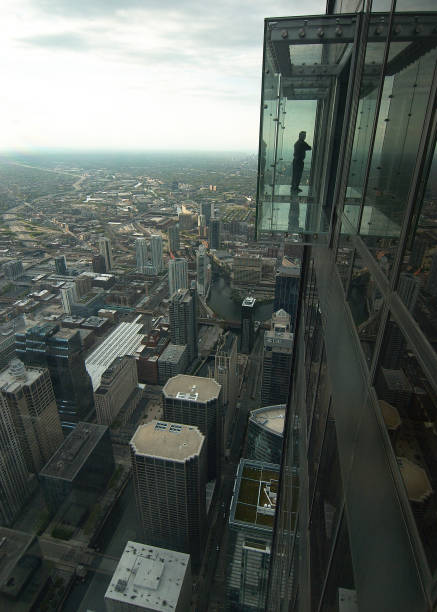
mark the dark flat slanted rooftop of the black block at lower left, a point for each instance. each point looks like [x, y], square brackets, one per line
[72, 454]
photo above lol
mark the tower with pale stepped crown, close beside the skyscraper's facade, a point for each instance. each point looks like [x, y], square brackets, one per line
[277, 355]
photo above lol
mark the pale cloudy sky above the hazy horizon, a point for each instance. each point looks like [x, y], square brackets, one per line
[134, 74]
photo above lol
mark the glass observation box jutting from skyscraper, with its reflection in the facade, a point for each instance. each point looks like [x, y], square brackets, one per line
[326, 75]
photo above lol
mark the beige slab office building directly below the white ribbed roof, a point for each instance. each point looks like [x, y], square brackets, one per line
[118, 394]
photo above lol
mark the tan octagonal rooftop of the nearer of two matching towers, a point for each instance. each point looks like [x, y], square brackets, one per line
[167, 440]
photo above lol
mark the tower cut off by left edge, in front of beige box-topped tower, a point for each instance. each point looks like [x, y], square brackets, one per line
[14, 477]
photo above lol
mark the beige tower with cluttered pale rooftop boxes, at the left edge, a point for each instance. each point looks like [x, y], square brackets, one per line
[29, 396]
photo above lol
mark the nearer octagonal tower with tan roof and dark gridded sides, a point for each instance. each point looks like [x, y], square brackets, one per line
[169, 472]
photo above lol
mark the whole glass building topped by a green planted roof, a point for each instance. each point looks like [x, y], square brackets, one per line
[251, 520]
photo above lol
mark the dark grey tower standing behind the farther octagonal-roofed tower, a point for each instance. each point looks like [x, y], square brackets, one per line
[183, 321]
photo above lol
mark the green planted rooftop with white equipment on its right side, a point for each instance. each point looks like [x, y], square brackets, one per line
[255, 491]
